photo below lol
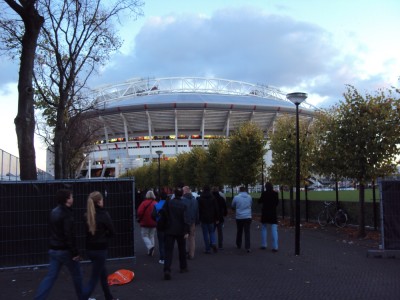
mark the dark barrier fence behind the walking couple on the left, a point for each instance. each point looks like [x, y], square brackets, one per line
[24, 216]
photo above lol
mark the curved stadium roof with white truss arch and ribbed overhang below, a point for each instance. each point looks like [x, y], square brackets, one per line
[165, 106]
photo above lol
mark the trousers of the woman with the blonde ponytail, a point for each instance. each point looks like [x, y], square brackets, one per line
[99, 271]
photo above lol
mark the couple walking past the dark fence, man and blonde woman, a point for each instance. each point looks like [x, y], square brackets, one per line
[63, 249]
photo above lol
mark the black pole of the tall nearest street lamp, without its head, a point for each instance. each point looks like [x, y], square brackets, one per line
[297, 224]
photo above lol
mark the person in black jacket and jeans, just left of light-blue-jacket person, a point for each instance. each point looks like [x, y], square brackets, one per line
[209, 216]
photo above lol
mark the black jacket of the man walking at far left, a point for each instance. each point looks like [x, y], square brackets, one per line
[62, 231]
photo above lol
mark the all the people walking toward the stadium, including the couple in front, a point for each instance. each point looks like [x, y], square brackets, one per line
[172, 220]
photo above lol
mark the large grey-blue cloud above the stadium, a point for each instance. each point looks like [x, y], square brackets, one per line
[240, 44]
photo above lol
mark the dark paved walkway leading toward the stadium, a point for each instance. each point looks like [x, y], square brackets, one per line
[329, 267]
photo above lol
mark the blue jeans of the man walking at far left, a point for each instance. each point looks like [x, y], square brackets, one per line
[58, 258]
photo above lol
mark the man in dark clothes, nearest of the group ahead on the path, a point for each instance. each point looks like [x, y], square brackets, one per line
[177, 230]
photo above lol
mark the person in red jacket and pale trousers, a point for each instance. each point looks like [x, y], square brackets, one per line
[147, 223]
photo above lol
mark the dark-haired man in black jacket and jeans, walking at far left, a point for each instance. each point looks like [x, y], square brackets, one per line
[62, 246]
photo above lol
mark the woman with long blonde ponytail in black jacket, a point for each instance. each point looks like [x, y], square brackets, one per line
[99, 230]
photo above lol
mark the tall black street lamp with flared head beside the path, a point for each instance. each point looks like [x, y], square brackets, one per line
[296, 99]
